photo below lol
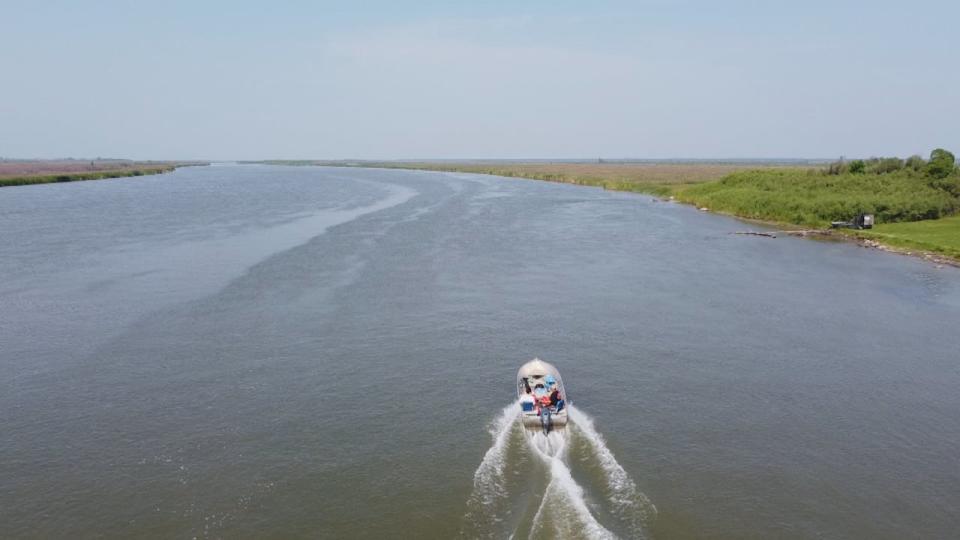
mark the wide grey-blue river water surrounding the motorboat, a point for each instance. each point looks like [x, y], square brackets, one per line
[252, 351]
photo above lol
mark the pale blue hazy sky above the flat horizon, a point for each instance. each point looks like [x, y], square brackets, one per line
[392, 79]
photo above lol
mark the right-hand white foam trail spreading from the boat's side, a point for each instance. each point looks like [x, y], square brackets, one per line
[627, 501]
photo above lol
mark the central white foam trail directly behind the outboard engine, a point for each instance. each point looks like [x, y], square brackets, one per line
[552, 449]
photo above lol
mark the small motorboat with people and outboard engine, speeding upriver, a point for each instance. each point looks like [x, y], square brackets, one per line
[536, 382]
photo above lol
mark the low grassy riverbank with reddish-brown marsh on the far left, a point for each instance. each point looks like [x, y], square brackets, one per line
[22, 173]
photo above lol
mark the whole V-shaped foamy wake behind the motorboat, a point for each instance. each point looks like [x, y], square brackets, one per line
[566, 484]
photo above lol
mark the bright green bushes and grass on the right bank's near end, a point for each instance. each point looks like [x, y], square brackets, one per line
[915, 201]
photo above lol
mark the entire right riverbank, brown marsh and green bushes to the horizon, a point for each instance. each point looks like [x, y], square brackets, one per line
[916, 201]
